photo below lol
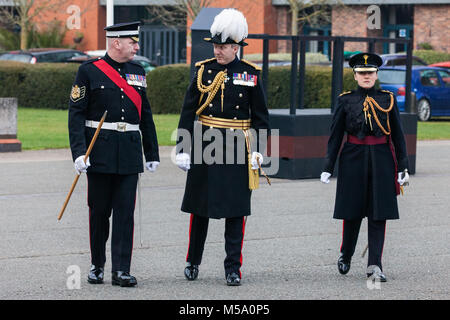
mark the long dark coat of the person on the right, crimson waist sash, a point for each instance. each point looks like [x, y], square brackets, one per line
[366, 182]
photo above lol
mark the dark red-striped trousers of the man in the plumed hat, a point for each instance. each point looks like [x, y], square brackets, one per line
[234, 239]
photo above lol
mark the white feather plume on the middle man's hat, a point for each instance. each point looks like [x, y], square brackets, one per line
[230, 23]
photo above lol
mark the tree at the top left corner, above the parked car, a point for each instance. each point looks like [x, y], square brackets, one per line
[22, 13]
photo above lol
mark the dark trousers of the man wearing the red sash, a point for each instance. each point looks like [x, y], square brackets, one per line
[116, 194]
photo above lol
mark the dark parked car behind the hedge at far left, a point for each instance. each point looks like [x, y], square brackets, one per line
[42, 55]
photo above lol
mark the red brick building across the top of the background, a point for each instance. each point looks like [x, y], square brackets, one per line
[428, 21]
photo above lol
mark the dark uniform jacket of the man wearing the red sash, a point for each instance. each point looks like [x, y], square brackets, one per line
[93, 93]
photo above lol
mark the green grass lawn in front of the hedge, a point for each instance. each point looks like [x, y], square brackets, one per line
[47, 129]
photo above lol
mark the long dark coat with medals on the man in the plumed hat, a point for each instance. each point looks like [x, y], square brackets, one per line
[220, 189]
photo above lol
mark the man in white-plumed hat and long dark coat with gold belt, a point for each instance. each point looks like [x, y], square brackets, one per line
[227, 96]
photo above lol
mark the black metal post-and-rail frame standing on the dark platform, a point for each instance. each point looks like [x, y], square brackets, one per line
[297, 80]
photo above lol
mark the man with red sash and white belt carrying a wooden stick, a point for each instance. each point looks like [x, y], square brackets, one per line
[117, 84]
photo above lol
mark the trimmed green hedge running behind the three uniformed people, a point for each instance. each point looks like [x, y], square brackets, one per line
[48, 85]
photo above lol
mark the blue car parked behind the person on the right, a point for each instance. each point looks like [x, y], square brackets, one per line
[431, 86]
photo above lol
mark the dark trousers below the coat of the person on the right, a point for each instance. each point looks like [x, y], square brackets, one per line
[376, 234]
